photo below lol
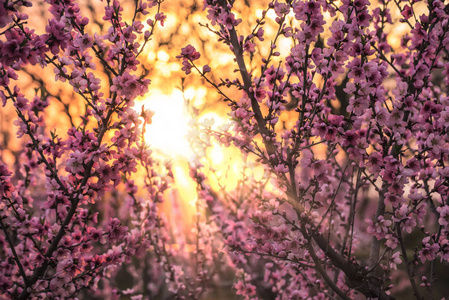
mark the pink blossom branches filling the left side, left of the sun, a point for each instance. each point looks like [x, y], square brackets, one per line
[56, 242]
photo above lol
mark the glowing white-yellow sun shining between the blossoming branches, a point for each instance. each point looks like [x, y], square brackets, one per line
[167, 134]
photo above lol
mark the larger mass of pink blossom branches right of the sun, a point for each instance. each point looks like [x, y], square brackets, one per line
[359, 184]
